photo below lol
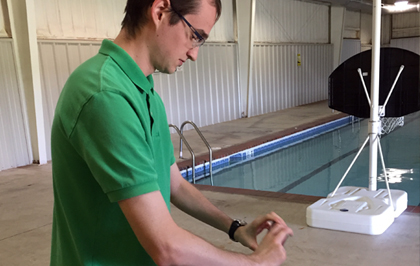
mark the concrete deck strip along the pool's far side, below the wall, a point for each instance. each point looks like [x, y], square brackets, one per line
[240, 134]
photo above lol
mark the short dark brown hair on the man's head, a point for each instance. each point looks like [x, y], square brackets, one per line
[136, 12]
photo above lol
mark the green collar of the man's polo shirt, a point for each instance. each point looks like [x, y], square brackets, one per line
[128, 65]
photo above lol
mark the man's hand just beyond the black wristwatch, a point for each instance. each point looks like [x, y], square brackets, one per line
[247, 235]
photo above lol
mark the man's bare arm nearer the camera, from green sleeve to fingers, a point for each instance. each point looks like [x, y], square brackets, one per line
[169, 244]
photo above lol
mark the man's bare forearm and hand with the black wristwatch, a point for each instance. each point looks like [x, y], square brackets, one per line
[188, 199]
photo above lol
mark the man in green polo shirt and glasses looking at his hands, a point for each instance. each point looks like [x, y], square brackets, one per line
[114, 172]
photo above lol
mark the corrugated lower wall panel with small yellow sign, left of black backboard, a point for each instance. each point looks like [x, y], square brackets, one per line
[278, 82]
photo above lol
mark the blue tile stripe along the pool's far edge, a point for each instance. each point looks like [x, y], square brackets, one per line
[202, 170]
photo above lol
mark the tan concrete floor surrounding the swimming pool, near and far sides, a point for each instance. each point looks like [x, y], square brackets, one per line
[26, 201]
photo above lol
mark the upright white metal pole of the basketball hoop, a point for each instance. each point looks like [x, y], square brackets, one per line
[374, 123]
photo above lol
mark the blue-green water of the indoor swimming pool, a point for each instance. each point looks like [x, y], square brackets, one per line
[315, 166]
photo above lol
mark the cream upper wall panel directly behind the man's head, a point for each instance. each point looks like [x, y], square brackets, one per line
[98, 19]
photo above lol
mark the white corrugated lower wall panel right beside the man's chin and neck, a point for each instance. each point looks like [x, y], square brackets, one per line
[205, 91]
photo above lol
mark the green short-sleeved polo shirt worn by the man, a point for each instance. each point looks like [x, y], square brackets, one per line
[110, 141]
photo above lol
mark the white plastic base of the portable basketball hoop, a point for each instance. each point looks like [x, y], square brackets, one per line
[355, 209]
